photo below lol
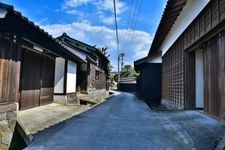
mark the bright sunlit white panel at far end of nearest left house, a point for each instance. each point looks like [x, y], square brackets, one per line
[71, 77]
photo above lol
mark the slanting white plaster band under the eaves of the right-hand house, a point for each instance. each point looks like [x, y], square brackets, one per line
[188, 14]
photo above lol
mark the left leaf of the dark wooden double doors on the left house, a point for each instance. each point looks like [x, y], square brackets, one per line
[30, 86]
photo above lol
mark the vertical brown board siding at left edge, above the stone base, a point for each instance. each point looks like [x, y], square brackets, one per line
[10, 54]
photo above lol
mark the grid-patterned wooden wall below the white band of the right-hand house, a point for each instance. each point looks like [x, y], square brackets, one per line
[176, 62]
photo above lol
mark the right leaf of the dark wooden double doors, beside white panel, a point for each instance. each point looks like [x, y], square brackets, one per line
[47, 80]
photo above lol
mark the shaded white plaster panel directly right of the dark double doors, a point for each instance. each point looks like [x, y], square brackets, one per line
[59, 75]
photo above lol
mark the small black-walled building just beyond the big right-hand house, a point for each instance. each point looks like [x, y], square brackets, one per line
[150, 79]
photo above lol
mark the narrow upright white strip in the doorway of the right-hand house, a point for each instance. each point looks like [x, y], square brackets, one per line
[199, 82]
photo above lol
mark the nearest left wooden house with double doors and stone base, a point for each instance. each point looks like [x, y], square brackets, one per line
[28, 57]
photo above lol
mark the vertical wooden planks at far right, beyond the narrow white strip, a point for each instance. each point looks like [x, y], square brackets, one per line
[214, 77]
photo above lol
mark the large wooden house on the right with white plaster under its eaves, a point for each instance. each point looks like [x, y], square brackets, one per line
[191, 37]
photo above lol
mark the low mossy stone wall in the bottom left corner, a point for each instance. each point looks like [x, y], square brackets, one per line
[8, 115]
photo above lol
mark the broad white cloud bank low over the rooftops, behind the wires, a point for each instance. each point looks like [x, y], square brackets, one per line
[136, 48]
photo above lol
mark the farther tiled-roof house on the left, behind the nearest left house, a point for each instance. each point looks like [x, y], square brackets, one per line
[92, 74]
